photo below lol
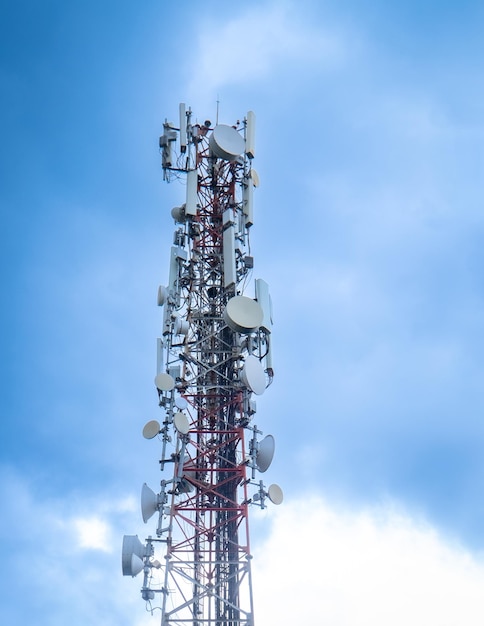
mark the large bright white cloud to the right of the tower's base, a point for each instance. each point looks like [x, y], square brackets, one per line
[321, 565]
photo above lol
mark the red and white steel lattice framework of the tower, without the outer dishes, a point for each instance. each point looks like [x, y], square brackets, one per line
[208, 544]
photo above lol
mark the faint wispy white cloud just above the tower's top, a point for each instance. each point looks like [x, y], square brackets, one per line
[262, 41]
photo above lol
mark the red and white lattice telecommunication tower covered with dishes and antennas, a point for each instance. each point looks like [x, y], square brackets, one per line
[213, 356]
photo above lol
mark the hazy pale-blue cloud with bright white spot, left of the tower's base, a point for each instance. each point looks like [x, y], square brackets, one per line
[66, 551]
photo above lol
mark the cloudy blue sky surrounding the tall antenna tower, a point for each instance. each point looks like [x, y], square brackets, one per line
[369, 223]
